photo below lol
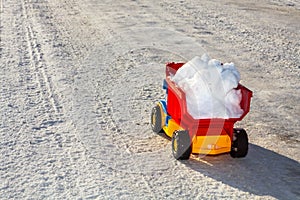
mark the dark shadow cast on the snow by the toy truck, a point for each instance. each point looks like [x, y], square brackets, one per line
[262, 172]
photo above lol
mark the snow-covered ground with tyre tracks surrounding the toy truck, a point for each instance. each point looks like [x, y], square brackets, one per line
[79, 78]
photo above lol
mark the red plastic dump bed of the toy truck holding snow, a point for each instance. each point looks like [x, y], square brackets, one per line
[177, 108]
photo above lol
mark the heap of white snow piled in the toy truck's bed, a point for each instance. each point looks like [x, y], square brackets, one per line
[210, 88]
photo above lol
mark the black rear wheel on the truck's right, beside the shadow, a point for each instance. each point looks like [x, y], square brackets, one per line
[239, 147]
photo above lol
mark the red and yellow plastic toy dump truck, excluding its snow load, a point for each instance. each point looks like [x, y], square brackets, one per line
[197, 136]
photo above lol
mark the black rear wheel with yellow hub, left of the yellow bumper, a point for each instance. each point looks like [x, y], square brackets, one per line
[181, 145]
